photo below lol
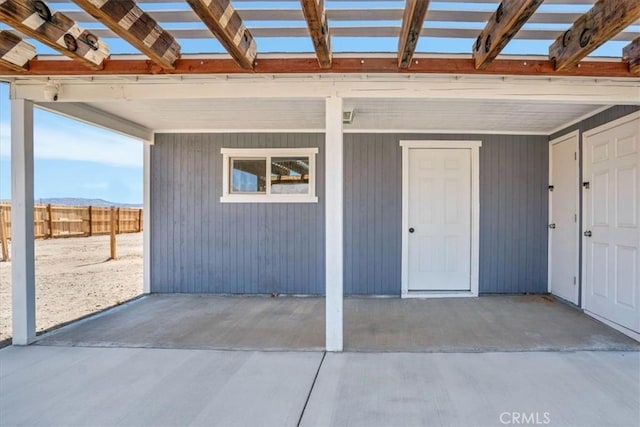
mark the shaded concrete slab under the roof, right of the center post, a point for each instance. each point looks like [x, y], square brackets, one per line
[484, 324]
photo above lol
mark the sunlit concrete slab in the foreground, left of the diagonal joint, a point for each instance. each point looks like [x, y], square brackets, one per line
[123, 386]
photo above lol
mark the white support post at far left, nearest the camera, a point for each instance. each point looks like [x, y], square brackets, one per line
[22, 244]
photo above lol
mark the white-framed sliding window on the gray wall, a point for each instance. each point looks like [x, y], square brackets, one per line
[271, 175]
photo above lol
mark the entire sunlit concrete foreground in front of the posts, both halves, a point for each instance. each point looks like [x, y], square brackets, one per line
[50, 385]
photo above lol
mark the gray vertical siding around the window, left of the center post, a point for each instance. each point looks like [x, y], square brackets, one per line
[200, 245]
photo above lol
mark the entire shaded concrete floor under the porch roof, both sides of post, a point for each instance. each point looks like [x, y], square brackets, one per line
[492, 323]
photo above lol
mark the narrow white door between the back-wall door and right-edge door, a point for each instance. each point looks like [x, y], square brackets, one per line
[563, 218]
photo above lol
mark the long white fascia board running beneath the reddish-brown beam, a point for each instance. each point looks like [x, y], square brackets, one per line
[583, 91]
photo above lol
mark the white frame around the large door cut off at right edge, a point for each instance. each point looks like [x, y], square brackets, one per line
[585, 173]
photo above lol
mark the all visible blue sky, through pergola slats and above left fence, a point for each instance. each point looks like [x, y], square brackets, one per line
[77, 160]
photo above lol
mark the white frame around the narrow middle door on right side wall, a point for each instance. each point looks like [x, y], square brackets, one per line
[576, 135]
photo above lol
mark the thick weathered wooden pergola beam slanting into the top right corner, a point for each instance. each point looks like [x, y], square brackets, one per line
[602, 22]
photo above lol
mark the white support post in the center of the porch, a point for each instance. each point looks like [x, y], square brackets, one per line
[334, 150]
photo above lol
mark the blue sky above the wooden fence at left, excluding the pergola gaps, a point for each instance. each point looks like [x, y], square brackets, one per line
[72, 159]
